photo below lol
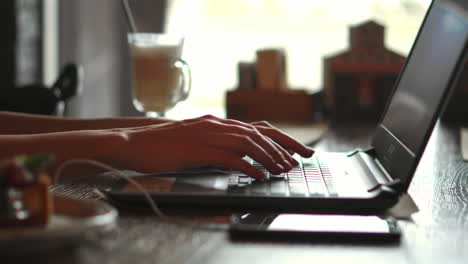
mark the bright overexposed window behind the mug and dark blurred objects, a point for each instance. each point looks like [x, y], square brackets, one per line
[222, 33]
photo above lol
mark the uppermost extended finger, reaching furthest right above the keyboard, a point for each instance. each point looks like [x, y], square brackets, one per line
[283, 139]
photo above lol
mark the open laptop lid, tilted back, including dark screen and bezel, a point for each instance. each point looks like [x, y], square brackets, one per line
[431, 70]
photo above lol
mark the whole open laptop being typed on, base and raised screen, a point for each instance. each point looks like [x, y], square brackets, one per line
[369, 180]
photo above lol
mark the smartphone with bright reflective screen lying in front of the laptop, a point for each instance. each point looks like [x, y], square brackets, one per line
[320, 227]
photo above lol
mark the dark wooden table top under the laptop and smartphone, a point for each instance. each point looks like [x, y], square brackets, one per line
[436, 234]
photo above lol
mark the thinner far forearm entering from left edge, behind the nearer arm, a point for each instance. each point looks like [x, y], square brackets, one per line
[16, 123]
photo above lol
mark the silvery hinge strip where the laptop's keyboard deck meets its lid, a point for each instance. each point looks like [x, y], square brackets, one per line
[381, 180]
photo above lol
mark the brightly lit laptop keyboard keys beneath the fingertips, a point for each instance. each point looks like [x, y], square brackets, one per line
[312, 178]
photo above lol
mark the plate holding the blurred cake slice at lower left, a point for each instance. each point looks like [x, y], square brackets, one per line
[73, 220]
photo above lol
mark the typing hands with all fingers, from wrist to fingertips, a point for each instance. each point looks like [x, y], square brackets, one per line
[206, 140]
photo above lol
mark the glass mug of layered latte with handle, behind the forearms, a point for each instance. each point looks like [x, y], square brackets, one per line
[161, 78]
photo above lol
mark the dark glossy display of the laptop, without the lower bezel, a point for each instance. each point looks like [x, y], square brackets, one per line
[433, 60]
